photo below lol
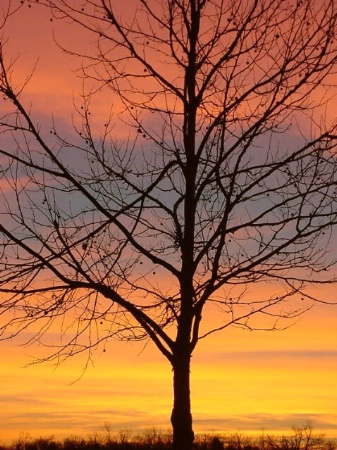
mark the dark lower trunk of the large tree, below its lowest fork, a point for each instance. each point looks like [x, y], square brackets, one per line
[181, 418]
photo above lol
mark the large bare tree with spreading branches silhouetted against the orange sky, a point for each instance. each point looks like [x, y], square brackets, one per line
[227, 179]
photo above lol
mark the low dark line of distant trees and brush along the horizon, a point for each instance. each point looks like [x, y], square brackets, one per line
[301, 438]
